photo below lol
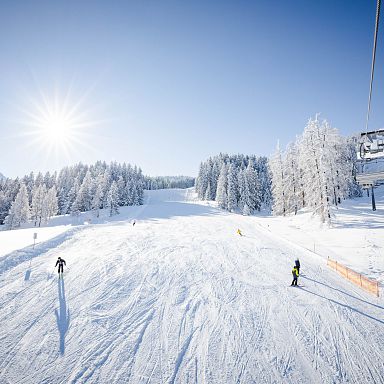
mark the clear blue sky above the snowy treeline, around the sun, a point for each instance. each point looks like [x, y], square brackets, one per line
[165, 84]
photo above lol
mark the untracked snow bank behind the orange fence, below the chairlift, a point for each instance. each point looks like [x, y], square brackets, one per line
[355, 238]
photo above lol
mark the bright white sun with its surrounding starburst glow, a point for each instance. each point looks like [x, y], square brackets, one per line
[60, 126]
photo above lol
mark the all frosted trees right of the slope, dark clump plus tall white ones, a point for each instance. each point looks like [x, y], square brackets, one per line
[314, 172]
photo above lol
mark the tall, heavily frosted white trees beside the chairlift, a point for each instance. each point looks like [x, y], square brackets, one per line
[316, 171]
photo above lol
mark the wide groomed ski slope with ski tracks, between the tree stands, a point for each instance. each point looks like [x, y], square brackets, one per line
[181, 298]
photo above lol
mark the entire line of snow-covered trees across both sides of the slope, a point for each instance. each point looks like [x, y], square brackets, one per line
[315, 172]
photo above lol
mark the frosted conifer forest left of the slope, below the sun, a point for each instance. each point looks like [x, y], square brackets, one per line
[73, 190]
